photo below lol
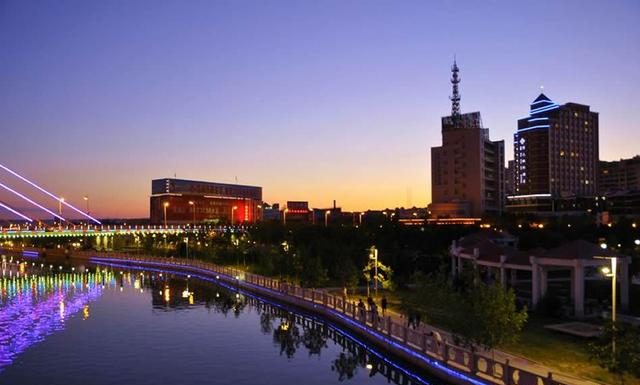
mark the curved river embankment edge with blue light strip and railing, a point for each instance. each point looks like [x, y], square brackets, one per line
[374, 334]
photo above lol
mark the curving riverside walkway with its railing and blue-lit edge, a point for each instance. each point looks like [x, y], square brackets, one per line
[419, 346]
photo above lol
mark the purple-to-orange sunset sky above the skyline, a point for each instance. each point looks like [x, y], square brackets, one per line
[312, 100]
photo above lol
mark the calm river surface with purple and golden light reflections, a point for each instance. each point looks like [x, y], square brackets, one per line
[119, 326]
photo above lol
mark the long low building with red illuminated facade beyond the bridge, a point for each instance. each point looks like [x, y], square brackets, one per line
[180, 202]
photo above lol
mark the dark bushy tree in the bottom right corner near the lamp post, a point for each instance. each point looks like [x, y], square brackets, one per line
[625, 358]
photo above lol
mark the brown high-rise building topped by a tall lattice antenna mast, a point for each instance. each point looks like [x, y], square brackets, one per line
[467, 171]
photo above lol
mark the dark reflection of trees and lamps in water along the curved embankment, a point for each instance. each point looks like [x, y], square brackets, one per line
[292, 333]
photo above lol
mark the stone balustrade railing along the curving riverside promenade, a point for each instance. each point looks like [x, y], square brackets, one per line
[427, 344]
